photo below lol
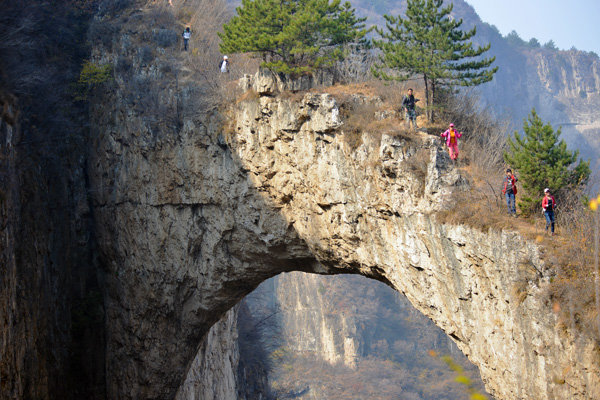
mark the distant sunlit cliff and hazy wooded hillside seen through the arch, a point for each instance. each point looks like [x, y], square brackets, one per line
[349, 337]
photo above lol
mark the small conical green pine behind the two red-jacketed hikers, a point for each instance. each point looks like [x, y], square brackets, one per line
[542, 161]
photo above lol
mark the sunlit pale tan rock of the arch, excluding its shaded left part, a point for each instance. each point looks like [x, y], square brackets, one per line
[358, 218]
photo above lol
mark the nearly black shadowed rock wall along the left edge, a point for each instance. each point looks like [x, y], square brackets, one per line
[51, 315]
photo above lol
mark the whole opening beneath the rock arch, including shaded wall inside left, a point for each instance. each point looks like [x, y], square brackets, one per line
[309, 336]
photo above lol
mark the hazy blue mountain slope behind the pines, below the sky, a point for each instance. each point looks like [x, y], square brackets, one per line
[563, 86]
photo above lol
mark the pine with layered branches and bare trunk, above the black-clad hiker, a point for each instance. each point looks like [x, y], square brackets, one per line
[428, 43]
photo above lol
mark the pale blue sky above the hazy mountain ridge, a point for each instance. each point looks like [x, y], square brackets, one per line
[568, 23]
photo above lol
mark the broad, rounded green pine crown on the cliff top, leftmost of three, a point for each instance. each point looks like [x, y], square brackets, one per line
[292, 36]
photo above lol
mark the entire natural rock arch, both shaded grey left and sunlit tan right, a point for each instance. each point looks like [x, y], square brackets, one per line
[188, 225]
